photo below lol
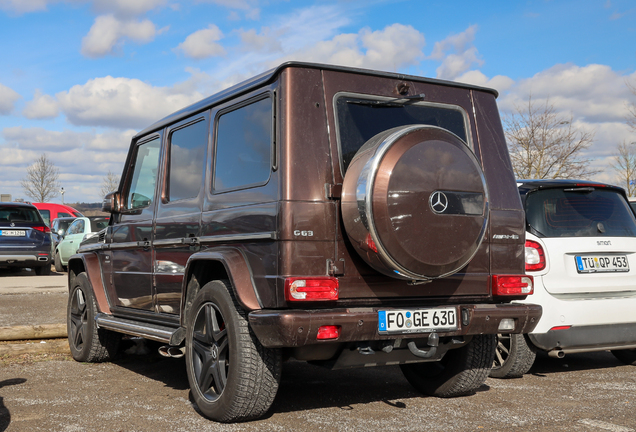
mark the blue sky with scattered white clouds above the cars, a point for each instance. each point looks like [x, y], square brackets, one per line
[79, 77]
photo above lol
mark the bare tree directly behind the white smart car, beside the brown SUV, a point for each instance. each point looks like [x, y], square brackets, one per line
[544, 144]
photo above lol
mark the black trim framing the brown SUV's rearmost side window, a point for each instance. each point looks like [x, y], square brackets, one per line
[268, 94]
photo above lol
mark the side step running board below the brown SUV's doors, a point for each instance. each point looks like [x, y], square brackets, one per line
[170, 335]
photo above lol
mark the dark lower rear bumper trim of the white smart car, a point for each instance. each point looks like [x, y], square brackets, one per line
[587, 338]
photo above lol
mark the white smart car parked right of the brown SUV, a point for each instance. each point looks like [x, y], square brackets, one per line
[581, 250]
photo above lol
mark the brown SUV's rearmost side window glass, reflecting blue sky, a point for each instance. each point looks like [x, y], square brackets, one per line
[244, 146]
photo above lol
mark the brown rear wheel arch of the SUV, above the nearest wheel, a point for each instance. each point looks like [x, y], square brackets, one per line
[217, 264]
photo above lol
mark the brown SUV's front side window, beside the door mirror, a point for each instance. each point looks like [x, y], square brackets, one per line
[141, 191]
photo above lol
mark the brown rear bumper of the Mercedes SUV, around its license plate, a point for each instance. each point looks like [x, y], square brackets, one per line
[295, 328]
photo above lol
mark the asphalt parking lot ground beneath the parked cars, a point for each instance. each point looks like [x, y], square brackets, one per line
[145, 392]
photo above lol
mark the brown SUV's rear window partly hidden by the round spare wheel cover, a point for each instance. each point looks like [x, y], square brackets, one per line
[361, 118]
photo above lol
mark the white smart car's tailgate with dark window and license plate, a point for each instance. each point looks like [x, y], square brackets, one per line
[590, 239]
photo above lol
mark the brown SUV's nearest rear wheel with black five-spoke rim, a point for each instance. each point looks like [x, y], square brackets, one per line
[232, 376]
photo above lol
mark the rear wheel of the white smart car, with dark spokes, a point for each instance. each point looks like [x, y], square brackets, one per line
[514, 356]
